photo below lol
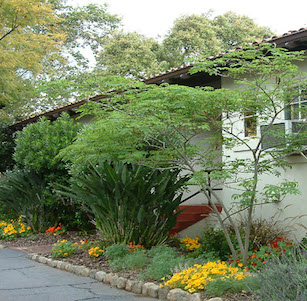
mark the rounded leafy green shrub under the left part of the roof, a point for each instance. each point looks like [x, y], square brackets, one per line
[37, 147]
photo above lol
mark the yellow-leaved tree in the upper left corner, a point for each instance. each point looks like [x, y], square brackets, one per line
[28, 35]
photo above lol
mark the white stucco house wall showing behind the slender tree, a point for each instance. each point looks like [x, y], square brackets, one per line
[292, 211]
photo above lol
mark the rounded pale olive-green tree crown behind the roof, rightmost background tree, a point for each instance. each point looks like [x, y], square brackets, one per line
[195, 35]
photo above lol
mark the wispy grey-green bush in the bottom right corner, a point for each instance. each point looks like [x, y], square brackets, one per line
[282, 279]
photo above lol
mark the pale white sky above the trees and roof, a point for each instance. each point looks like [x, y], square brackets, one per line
[155, 18]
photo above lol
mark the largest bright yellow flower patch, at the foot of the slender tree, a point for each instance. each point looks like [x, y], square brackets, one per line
[197, 277]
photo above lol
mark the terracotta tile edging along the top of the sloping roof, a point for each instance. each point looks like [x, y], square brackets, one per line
[281, 41]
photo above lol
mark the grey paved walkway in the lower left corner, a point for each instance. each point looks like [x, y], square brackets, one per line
[26, 280]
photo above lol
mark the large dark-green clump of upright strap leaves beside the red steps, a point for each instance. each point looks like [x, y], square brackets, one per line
[130, 203]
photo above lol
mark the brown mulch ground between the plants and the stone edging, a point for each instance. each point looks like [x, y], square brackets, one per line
[42, 244]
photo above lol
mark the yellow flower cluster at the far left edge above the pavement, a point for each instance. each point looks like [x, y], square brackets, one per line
[12, 229]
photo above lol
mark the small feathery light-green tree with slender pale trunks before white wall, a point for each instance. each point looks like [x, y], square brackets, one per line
[171, 126]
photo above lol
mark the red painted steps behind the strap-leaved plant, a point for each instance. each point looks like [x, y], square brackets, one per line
[192, 214]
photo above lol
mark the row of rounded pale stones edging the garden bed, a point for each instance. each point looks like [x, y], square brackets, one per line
[148, 289]
